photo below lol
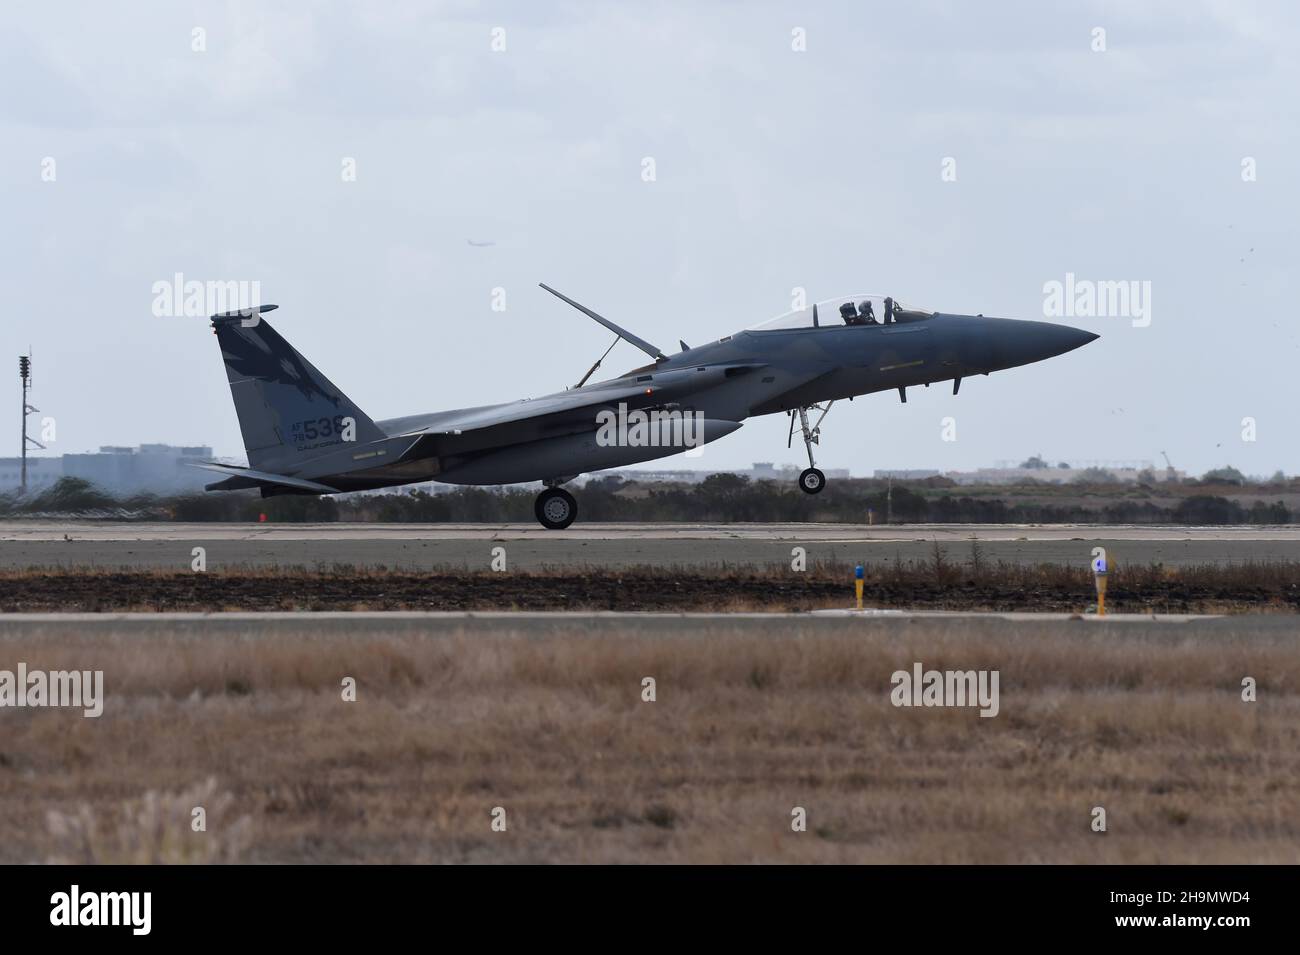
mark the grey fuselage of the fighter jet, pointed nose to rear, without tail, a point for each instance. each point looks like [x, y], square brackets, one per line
[752, 374]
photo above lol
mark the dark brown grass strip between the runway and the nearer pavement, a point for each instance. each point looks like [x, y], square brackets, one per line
[934, 584]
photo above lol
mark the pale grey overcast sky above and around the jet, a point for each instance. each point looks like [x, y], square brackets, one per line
[775, 168]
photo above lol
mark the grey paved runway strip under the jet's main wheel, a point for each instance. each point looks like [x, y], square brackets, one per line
[461, 546]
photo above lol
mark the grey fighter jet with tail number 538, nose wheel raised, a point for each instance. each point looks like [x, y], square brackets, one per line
[305, 436]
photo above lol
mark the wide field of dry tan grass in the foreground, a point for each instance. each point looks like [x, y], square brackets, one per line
[752, 719]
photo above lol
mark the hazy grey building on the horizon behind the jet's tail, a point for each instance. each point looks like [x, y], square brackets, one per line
[122, 471]
